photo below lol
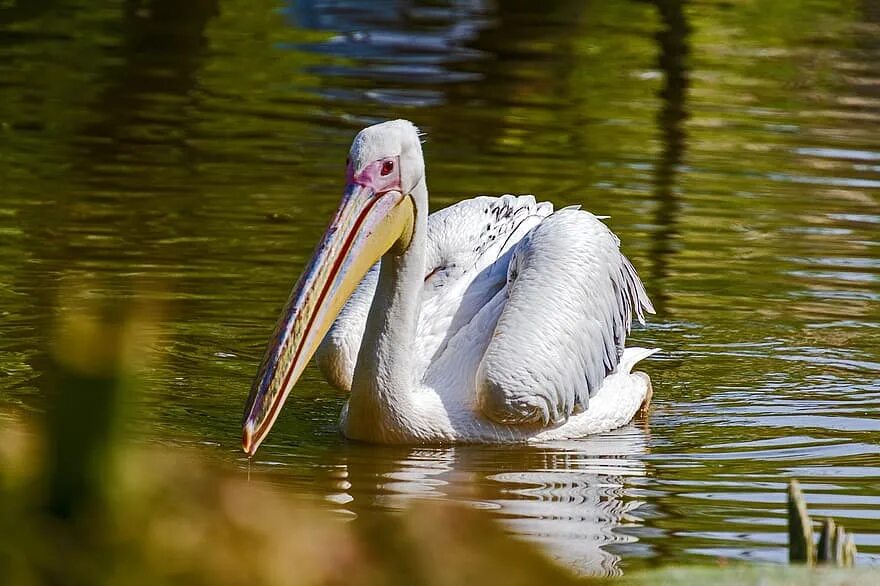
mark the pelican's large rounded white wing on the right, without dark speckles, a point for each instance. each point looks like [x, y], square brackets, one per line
[571, 298]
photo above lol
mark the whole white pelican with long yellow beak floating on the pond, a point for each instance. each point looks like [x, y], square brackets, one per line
[495, 320]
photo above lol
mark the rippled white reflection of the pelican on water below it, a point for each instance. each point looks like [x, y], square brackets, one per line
[567, 496]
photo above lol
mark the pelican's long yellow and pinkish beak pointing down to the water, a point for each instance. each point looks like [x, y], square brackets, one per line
[365, 227]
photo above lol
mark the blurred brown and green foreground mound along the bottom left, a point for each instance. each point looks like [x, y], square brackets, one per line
[174, 521]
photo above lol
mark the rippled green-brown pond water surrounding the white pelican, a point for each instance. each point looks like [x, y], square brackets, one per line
[192, 152]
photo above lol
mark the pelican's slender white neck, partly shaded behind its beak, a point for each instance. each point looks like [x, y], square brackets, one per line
[384, 376]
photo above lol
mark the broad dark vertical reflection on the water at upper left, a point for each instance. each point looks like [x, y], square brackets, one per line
[142, 132]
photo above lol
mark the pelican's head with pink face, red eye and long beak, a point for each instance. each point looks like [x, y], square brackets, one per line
[376, 215]
